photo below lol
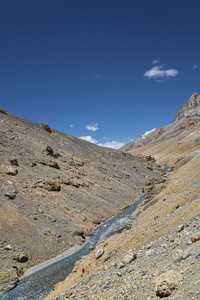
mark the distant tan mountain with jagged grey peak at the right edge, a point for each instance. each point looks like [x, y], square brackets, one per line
[177, 138]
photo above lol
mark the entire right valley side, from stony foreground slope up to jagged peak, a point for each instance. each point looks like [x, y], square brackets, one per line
[158, 254]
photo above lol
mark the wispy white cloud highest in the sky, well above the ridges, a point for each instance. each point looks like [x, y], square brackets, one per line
[156, 73]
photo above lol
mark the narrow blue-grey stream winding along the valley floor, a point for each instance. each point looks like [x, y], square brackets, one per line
[39, 281]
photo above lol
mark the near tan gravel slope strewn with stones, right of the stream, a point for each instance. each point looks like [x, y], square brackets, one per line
[166, 239]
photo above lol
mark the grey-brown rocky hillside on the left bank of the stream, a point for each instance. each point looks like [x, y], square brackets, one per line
[55, 189]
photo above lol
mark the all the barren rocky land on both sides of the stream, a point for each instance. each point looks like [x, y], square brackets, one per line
[158, 256]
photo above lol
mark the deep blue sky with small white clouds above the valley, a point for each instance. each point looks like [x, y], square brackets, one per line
[107, 70]
